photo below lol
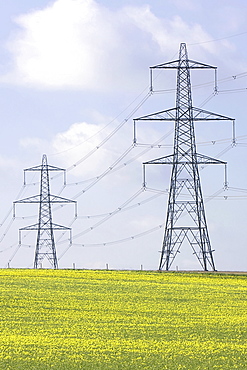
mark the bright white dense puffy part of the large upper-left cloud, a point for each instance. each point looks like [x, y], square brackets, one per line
[61, 45]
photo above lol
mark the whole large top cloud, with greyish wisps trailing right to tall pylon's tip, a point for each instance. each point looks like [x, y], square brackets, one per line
[81, 44]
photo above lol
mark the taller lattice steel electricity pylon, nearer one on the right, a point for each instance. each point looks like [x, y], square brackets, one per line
[185, 193]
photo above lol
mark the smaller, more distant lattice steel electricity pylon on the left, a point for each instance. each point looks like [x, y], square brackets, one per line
[45, 245]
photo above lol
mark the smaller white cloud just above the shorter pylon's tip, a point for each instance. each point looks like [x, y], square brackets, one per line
[72, 145]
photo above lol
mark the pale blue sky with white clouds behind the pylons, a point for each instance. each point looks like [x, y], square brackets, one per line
[73, 76]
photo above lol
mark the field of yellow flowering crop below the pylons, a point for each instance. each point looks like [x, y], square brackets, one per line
[81, 319]
